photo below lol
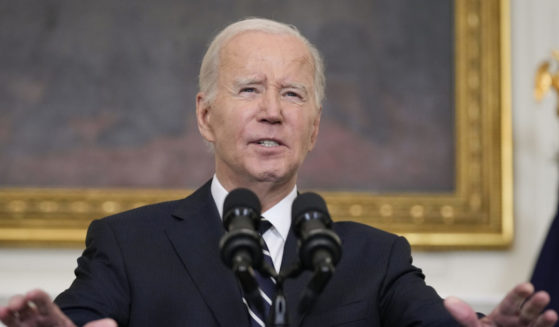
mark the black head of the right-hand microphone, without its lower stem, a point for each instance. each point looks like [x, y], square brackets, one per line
[319, 244]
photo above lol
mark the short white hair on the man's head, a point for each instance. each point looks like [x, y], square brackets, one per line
[210, 63]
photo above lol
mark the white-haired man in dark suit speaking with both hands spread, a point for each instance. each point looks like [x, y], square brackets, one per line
[261, 87]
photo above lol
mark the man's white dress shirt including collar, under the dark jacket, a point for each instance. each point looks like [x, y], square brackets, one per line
[279, 216]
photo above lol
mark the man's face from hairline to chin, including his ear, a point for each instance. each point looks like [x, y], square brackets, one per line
[264, 119]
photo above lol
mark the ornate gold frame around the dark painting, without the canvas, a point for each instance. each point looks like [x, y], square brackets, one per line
[477, 214]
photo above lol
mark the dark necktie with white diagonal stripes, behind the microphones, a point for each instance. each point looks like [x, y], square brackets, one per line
[267, 284]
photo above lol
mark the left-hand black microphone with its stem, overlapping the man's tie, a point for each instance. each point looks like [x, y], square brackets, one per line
[241, 247]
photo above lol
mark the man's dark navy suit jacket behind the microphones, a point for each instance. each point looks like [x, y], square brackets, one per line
[160, 266]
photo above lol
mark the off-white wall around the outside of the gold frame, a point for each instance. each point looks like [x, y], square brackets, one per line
[479, 277]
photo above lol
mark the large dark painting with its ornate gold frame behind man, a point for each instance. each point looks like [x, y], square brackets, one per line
[98, 106]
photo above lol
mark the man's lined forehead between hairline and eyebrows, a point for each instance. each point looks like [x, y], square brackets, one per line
[255, 50]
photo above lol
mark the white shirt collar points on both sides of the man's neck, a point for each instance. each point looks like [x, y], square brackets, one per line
[276, 215]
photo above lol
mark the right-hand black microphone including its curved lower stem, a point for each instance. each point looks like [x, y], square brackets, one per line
[319, 246]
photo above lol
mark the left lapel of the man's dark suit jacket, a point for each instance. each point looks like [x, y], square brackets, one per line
[195, 233]
